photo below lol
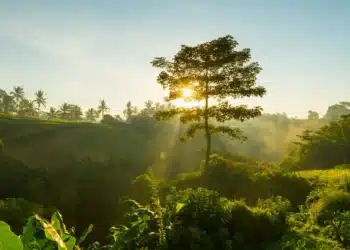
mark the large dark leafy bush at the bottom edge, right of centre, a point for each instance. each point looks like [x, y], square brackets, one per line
[210, 222]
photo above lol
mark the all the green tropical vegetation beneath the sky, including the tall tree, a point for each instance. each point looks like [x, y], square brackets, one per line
[89, 179]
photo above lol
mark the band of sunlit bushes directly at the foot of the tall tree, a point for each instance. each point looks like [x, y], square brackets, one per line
[249, 180]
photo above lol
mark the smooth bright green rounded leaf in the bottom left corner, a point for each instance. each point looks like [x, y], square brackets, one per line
[8, 240]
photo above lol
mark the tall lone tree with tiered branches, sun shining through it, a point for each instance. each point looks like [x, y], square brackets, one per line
[214, 70]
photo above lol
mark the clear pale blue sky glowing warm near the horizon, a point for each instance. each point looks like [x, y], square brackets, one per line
[82, 51]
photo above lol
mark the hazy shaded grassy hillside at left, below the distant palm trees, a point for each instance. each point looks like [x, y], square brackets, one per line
[40, 143]
